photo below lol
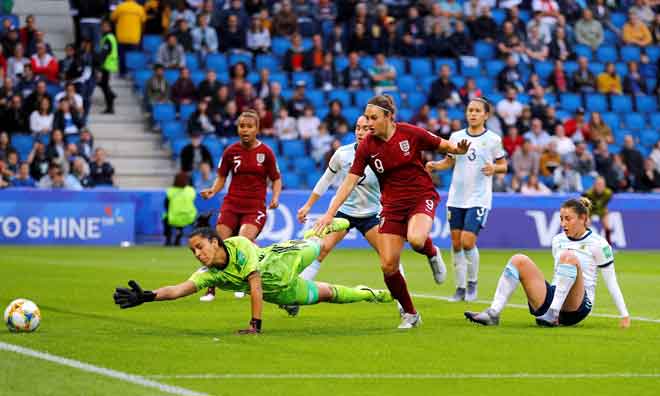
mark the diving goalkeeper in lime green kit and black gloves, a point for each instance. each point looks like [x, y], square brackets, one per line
[269, 274]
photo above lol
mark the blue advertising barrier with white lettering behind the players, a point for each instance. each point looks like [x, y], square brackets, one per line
[515, 221]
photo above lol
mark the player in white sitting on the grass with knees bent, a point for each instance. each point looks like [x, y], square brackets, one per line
[578, 252]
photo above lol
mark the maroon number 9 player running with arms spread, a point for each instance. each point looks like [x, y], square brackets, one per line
[393, 151]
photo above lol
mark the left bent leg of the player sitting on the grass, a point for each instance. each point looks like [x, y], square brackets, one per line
[519, 270]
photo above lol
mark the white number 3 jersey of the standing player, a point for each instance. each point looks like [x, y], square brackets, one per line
[469, 186]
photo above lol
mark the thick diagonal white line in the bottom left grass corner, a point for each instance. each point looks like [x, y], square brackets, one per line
[134, 379]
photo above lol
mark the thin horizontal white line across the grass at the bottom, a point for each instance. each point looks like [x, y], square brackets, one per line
[407, 376]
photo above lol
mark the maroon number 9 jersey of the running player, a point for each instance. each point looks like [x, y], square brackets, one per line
[398, 164]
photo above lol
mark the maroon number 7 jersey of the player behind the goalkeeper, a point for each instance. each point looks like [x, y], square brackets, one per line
[250, 169]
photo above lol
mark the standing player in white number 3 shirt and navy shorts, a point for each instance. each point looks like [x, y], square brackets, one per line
[471, 192]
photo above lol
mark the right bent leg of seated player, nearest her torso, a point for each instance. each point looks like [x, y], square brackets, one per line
[568, 292]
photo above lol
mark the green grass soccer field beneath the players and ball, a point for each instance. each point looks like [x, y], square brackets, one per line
[328, 349]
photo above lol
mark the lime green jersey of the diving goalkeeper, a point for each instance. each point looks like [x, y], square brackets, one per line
[278, 265]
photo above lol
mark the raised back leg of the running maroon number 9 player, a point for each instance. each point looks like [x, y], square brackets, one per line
[419, 228]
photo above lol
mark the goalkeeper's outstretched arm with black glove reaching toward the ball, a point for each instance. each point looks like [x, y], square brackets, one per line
[134, 295]
